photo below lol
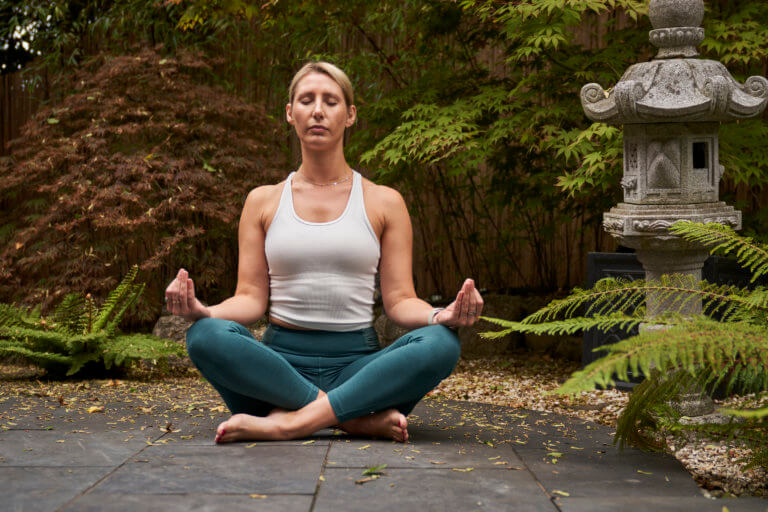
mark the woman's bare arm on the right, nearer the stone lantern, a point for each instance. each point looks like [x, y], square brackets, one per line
[398, 293]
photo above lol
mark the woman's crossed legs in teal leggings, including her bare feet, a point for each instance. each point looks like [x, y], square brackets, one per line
[226, 354]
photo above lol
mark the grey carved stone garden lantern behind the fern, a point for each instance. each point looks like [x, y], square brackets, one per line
[671, 108]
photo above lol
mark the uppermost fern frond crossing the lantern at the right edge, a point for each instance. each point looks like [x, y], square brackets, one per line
[724, 240]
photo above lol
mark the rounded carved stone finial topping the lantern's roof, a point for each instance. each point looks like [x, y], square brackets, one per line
[676, 25]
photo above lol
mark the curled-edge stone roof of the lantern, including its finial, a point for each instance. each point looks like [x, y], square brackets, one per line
[676, 86]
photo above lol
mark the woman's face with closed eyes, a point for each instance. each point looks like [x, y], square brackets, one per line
[318, 112]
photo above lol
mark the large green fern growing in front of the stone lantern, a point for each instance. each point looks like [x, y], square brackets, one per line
[724, 347]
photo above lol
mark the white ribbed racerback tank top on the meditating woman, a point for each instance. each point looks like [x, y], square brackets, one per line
[322, 274]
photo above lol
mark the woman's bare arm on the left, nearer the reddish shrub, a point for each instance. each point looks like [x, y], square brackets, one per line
[250, 300]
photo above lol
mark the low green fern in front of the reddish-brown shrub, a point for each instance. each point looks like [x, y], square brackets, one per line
[79, 332]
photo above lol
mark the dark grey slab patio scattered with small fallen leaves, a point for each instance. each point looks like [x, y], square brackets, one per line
[461, 456]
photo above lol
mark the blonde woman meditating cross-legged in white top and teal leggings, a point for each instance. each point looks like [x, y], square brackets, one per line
[309, 250]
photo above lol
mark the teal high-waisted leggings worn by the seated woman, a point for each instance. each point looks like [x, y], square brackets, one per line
[290, 366]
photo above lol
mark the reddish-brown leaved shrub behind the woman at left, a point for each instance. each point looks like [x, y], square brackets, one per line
[143, 164]
